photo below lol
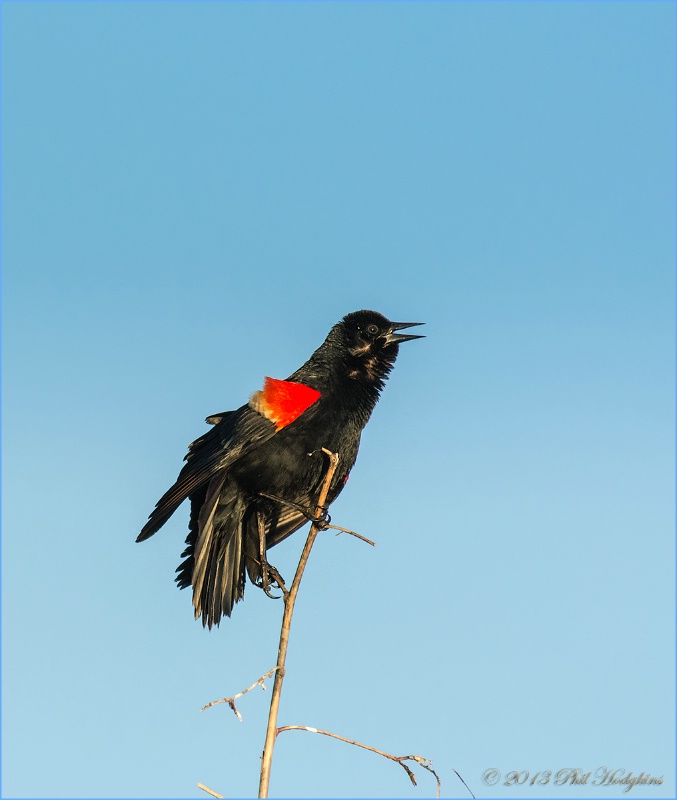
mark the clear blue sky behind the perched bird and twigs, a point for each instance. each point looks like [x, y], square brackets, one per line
[193, 193]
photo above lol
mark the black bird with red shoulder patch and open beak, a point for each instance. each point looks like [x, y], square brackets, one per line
[272, 448]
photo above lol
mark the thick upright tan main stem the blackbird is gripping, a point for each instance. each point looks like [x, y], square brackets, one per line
[289, 600]
